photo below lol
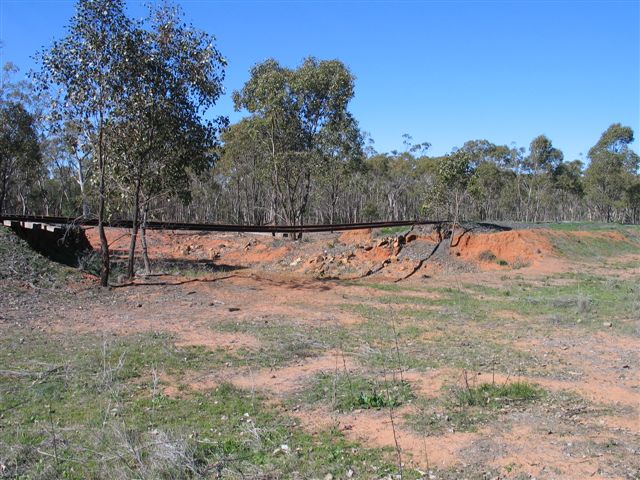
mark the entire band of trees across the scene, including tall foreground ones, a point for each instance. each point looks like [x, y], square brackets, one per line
[117, 123]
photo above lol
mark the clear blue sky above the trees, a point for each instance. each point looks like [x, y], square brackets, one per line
[444, 72]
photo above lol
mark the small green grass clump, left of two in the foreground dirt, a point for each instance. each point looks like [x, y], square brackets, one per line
[346, 392]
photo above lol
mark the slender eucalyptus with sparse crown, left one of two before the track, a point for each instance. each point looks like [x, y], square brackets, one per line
[87, 68]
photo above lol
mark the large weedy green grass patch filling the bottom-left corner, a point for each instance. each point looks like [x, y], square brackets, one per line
[77, 410]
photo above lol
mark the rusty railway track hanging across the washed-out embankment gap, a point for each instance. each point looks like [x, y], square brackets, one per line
[30, 220]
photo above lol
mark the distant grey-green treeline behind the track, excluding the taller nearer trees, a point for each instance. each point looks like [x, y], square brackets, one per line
[479, 181]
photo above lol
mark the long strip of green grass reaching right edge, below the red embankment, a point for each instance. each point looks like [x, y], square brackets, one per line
[573, 300]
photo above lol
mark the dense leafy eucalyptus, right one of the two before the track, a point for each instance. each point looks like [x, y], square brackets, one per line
[175, 75]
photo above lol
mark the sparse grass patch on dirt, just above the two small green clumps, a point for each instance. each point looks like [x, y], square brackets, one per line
[451, 346]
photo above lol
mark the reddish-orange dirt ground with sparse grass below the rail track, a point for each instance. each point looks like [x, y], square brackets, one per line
[234, 293]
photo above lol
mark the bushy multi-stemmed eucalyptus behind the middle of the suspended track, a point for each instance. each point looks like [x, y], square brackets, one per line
[296, 108]
